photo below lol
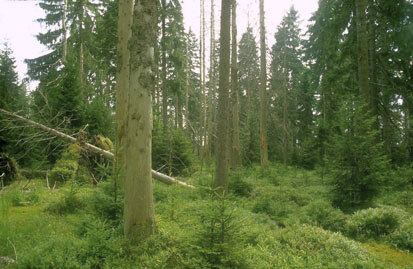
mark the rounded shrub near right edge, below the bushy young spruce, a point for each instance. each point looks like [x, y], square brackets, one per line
[374, 222]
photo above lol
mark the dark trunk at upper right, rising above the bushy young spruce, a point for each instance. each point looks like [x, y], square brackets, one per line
[363, 51]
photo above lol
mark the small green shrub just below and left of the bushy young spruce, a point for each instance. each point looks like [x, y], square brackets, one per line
[323, 214]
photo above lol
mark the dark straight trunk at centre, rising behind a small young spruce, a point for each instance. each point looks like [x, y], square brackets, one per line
[221, 171]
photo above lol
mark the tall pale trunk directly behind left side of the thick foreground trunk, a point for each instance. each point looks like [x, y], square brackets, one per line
[122, 82]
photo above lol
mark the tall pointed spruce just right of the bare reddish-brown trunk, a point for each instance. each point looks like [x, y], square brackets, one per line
[286, 72]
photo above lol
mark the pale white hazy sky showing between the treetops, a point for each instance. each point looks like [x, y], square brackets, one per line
[18, 26]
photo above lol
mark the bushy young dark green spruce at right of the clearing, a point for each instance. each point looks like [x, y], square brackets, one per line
[356, 160]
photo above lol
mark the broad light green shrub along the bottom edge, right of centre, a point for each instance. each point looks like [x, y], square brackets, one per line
[304, 246]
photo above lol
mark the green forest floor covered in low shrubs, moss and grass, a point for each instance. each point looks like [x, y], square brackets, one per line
[280, 218]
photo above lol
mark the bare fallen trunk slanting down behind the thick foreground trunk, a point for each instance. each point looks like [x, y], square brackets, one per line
[107, 154]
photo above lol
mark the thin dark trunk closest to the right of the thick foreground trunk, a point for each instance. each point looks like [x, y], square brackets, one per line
[163, 59]
